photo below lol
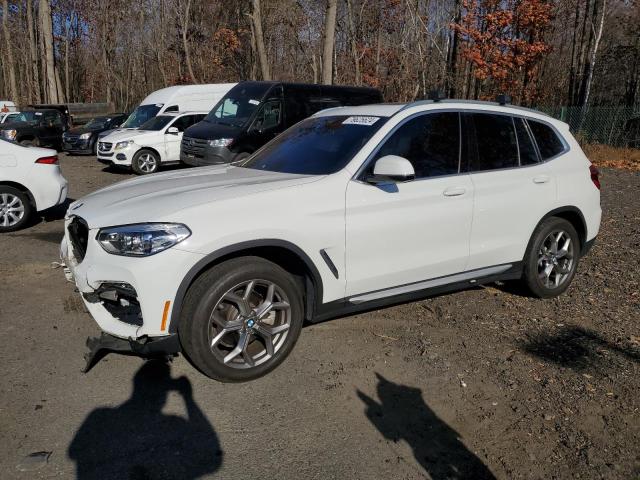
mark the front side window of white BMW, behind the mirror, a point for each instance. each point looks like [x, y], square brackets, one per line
[431, 142]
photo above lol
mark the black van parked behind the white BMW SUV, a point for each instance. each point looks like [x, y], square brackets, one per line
[252, 113]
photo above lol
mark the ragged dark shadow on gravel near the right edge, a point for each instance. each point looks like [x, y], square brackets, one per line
[577, 348]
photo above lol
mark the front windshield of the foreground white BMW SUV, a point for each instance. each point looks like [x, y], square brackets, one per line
[316, 146]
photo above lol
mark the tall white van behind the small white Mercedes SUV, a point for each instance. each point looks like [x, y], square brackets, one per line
[180, 98]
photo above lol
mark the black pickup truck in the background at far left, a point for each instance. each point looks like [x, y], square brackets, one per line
[36, 128]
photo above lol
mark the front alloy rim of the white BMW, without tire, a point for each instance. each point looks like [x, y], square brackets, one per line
[249, 324]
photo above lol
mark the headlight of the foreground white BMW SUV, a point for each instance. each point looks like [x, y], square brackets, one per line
[143, 239]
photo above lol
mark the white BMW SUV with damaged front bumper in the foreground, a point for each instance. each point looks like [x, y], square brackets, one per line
[353, 208]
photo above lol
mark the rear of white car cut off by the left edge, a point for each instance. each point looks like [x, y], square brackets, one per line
[30, 181]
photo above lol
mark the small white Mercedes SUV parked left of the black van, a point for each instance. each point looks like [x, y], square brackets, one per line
[156, 142]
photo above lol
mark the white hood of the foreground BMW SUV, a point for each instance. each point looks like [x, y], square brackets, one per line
[160, 197]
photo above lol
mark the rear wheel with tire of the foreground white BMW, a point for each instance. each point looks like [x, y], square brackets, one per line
[550, 262]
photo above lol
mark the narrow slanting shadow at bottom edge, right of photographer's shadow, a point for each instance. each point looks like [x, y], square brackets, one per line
[402, 414]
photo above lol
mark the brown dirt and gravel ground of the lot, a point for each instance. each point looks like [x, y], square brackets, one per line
[478, 384]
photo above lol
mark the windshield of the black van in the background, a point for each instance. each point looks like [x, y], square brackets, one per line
[237, 106]
